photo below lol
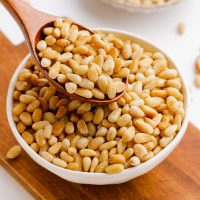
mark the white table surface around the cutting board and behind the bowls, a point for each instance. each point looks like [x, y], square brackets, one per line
[157, 27]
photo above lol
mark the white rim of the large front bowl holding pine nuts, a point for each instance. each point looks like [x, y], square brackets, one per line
[51, 167]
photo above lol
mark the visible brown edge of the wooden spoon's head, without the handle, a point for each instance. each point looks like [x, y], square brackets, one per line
[40, 36]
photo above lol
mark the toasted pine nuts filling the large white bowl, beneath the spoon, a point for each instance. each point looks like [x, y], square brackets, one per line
[110, 138]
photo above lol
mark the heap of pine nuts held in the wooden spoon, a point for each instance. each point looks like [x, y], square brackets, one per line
[87, 64]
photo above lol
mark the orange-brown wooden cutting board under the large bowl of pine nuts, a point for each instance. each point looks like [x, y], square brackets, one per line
[178, 177]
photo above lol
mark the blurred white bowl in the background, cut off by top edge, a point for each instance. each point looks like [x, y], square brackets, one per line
[143, 9]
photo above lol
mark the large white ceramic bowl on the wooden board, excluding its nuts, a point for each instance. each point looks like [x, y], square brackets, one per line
[100, 178]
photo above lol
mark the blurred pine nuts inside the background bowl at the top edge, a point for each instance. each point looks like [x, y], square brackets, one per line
[144, 3]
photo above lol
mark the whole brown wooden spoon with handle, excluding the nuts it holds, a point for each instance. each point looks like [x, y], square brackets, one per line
[32, 22]
